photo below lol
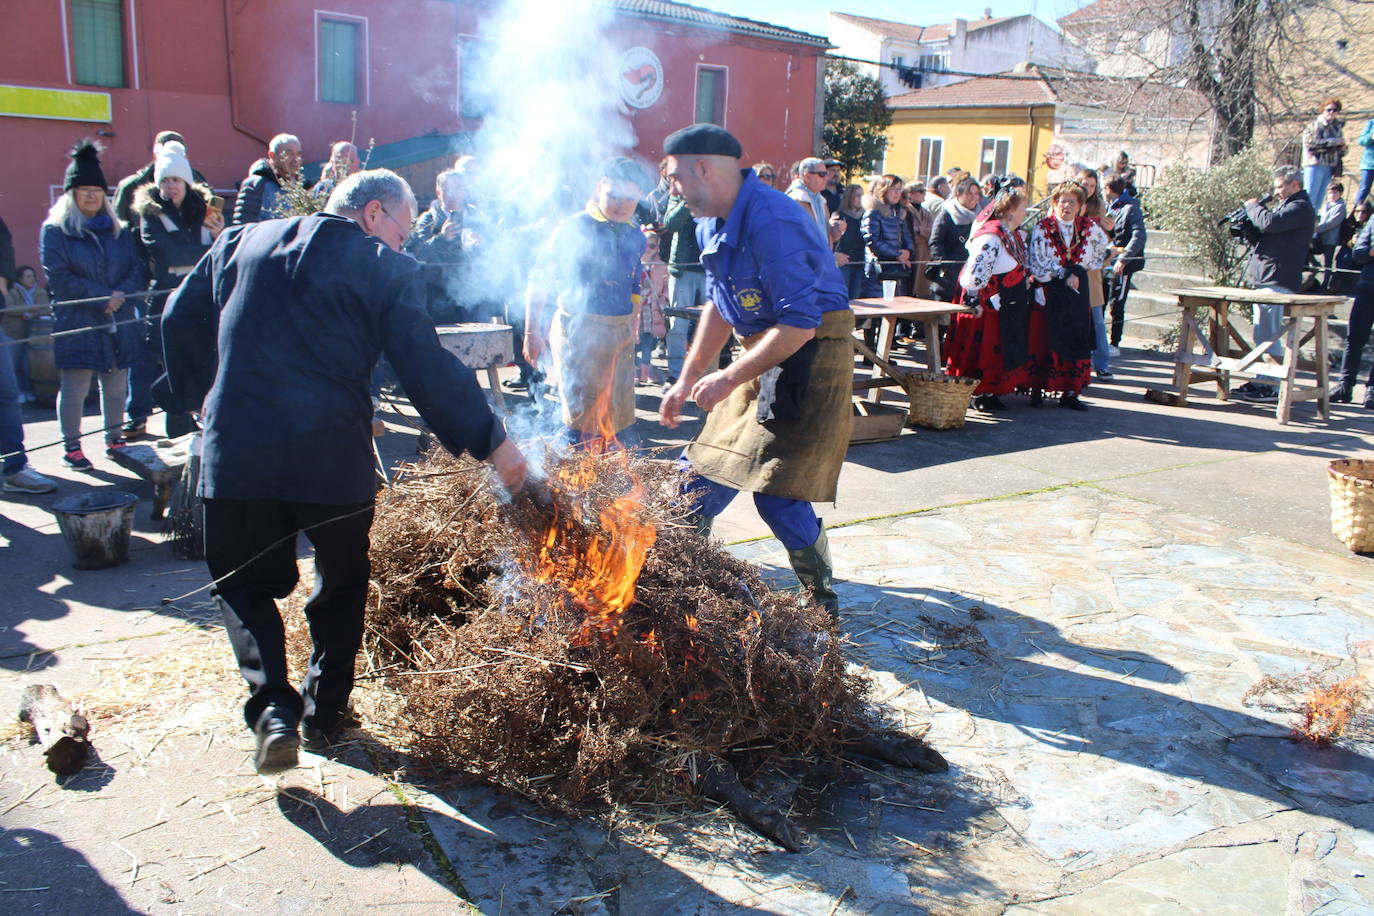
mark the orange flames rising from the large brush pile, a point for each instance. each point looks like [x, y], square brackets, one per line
[597, 565]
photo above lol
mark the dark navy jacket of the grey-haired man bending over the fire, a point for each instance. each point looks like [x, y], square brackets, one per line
[277, 333]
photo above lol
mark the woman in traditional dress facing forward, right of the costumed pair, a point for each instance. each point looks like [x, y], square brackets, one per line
[1064, 248]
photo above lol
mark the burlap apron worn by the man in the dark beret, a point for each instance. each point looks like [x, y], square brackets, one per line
[795, 459]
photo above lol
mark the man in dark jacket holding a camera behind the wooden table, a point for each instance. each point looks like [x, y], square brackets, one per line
[1281, 238]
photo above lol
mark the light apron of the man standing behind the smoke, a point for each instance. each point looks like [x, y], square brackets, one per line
[594, 360]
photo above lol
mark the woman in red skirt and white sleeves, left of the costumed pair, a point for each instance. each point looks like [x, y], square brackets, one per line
[990, 344]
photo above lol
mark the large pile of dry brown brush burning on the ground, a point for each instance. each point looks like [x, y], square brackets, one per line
[499, 672]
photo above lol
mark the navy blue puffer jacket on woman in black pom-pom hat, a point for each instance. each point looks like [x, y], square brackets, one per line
[94, 264]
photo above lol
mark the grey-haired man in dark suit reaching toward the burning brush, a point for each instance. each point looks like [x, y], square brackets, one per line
[275, 333]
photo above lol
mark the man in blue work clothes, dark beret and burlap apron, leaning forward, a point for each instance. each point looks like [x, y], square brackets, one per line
[778, 418]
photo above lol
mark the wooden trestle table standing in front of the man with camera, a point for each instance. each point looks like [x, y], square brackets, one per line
[1213, 348]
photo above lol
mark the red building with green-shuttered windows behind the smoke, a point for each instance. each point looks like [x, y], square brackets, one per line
[229, 75]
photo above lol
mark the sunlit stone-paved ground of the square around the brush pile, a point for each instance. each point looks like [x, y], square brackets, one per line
[1074, 605]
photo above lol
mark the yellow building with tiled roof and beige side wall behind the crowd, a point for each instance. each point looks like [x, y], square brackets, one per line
[1019, 122]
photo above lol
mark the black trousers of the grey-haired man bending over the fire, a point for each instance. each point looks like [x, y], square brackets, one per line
[237, 532]
